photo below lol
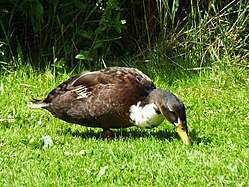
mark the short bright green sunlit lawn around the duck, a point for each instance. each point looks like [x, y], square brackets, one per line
[217, 104]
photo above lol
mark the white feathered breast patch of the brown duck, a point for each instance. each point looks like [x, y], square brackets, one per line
[145, 117]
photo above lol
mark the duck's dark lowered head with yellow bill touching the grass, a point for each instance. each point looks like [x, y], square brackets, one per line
[173, 110]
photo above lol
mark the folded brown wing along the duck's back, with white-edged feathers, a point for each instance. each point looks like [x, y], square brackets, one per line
[117, 78]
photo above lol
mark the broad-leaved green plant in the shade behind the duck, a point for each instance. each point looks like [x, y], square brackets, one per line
[110, 25]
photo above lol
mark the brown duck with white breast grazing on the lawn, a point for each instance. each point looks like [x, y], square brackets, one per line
[114, 98]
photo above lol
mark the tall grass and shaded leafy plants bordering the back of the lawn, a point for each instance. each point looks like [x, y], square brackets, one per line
[186, 33]
